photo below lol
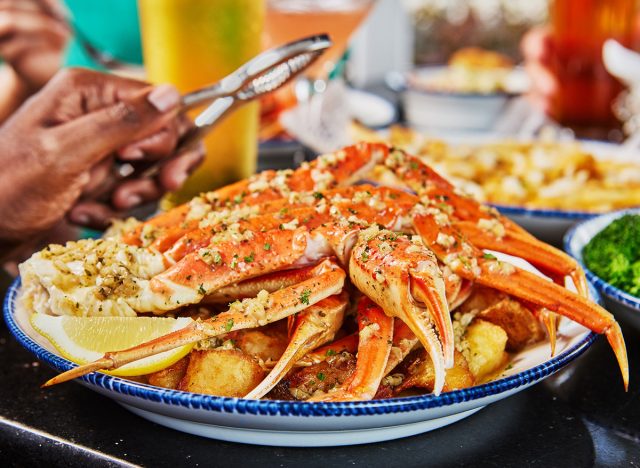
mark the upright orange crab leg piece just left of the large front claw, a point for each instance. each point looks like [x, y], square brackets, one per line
[376, 332]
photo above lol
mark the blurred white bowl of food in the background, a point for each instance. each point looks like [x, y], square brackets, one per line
[435, 110]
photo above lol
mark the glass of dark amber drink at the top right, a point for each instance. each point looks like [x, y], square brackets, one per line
[579, 29]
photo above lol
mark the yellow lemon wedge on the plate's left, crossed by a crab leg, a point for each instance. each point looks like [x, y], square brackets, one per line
[85, 339]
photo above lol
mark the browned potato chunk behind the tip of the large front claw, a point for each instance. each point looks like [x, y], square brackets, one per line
[420, 373]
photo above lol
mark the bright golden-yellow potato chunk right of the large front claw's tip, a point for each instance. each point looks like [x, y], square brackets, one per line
[484, 348]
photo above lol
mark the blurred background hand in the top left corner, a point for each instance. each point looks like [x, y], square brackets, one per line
[32, 39]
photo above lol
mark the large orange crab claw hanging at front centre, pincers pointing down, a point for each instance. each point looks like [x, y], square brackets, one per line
[391, 269]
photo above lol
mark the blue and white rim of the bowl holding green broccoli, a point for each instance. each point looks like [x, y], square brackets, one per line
[580, 235]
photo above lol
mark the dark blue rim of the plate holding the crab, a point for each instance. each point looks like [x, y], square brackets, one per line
[294, 408]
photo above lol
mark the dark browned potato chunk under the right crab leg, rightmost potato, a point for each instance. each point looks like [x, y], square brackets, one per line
[521, 326]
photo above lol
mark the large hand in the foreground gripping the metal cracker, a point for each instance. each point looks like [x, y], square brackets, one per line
[63, 141]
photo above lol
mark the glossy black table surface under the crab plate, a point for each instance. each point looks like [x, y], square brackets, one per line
[579, 417]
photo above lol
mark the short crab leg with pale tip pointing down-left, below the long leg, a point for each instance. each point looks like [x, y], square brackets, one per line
[315, 326]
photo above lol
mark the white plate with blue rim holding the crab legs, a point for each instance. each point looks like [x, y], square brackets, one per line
[303, 424]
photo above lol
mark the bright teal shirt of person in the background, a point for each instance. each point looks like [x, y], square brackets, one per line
[111, 26]
